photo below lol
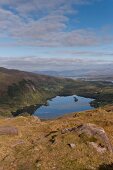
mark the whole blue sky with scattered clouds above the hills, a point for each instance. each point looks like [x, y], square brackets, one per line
[55, 30]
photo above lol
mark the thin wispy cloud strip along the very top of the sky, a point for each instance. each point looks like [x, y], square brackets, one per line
[27, 6]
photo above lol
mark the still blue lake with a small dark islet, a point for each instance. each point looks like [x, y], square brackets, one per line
[59, 106]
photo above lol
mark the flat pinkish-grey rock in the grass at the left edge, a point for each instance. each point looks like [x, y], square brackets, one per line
[8, 130]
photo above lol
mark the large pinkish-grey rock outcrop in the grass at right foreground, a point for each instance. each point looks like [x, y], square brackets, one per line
[94, 135]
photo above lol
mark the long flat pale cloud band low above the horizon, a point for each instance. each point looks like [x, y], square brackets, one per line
[53, 64]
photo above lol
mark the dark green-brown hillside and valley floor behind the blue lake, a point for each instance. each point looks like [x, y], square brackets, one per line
[22, 92]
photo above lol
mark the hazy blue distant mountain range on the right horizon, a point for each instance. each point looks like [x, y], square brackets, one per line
[96, 72]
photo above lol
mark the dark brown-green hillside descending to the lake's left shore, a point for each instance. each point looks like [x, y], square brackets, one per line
[19, 89]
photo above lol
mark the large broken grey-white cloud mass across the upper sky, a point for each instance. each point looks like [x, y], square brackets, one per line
[45, 23]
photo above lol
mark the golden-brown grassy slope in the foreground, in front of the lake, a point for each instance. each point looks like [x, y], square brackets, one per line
[32, 149]
